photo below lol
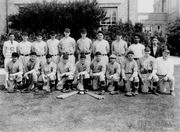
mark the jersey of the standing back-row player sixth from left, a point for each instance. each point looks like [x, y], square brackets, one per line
[84, 45]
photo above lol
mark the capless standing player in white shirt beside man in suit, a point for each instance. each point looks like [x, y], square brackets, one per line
[137, 48]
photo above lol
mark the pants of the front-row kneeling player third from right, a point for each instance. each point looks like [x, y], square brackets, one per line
[128, 84]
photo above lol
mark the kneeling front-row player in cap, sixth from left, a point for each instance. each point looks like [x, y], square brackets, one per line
[97, 73]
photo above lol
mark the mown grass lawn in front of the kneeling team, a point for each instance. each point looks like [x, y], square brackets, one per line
[82, 113]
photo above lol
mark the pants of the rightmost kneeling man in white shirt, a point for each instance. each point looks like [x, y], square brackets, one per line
[163, 85]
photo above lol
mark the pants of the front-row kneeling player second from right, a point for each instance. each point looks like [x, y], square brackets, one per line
[147, 83]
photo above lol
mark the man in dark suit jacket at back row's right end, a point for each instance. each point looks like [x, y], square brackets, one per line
[156, 50]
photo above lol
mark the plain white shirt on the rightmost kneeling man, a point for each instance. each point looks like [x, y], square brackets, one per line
[165, 67]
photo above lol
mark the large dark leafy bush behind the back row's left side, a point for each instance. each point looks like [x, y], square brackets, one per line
[55, 16]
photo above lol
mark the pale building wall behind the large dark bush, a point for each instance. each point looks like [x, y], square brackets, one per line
[116, 10]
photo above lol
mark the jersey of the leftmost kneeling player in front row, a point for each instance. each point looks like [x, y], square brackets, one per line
[14, 67]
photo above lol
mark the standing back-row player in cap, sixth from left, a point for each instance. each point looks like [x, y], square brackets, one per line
[84, 45]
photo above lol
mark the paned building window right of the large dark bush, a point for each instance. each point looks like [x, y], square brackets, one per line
[111, 17]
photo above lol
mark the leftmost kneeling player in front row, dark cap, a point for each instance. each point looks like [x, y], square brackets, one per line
[14, 73]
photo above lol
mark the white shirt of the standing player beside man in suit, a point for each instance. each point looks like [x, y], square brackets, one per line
[138, 50]
